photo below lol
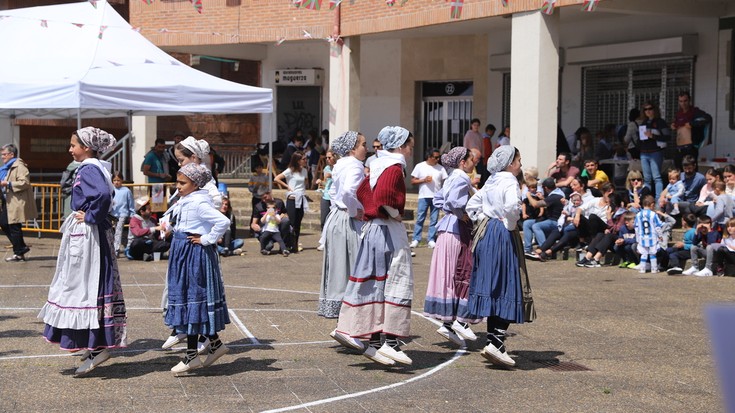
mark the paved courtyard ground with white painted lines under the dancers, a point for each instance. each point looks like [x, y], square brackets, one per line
[606, 340]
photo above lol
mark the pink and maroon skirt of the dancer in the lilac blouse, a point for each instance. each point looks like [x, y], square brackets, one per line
[449, 277]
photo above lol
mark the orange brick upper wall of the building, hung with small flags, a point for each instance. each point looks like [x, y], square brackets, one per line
[259, 21]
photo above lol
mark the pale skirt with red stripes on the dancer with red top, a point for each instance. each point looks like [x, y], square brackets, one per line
[380, 291]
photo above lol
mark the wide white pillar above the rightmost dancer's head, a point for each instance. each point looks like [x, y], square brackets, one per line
[534, 87]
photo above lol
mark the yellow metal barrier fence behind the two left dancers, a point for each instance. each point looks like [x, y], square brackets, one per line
[53, 206]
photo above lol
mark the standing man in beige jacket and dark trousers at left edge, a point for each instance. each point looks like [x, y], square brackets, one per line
[18, 202]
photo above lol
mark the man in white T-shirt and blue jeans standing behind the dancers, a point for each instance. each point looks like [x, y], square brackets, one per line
[429, 176]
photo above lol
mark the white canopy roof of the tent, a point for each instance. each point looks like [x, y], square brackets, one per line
[80, 61]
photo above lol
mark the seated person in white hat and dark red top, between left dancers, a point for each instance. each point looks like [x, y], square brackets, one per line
[144, 236]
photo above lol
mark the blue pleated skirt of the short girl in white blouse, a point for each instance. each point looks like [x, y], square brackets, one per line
[196, 293]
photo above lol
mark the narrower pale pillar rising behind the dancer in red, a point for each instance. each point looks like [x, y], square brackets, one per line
[344, 86]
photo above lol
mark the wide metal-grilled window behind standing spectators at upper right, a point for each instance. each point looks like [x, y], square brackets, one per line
[609, 92]
